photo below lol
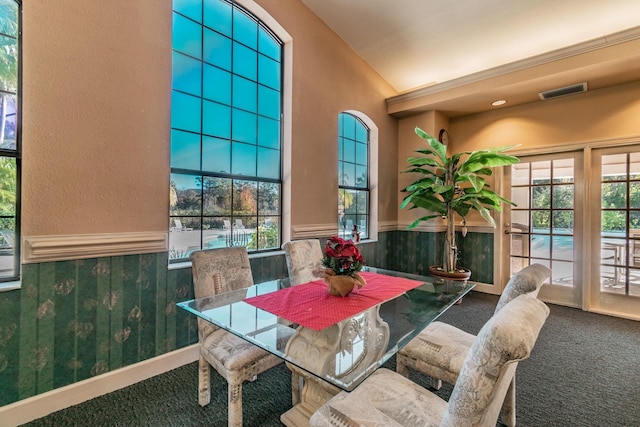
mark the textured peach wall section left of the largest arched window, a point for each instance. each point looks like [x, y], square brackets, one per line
[96, 94]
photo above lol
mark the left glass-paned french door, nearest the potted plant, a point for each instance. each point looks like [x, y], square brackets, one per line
[546, 225]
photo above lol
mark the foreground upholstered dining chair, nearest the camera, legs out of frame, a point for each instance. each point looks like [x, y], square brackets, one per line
[389, 399]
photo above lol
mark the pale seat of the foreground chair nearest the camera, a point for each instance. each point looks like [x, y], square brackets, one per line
[384, 399]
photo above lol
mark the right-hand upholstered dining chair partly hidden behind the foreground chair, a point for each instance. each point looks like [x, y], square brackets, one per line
[440, 349]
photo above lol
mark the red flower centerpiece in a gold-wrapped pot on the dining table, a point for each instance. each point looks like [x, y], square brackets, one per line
[342, 261]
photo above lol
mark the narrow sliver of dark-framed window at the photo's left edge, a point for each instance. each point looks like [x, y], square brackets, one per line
[9, 140]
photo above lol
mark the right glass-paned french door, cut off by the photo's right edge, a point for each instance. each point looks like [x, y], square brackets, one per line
[615, 231]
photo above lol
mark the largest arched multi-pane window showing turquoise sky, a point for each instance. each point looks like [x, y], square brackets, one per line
[225, 130]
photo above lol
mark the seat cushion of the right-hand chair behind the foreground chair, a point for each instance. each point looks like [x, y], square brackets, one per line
[438, 351]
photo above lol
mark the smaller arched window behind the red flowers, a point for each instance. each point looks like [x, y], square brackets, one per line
[353, 176]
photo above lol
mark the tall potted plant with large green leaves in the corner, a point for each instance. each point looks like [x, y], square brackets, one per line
[451, 185]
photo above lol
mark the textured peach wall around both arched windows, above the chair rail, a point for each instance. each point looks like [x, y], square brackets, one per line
[96, 99]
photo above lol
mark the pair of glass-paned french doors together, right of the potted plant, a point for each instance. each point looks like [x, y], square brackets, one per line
[578, 213]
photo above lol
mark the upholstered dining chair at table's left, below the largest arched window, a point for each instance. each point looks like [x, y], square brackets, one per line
[216, 271]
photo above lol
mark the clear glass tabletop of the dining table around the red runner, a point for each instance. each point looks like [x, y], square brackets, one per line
[344, 353]
